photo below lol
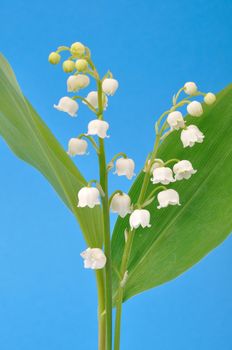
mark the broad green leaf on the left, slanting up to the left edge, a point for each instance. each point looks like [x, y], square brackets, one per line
[31, 140]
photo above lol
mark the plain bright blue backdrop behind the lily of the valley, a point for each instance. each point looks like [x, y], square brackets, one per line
[47, 299]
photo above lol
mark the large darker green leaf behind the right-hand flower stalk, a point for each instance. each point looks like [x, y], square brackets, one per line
[181, 236]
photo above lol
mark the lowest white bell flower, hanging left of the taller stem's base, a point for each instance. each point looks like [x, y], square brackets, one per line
[94, 258]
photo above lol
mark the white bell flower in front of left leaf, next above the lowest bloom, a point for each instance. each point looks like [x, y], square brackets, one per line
[88, 197]
